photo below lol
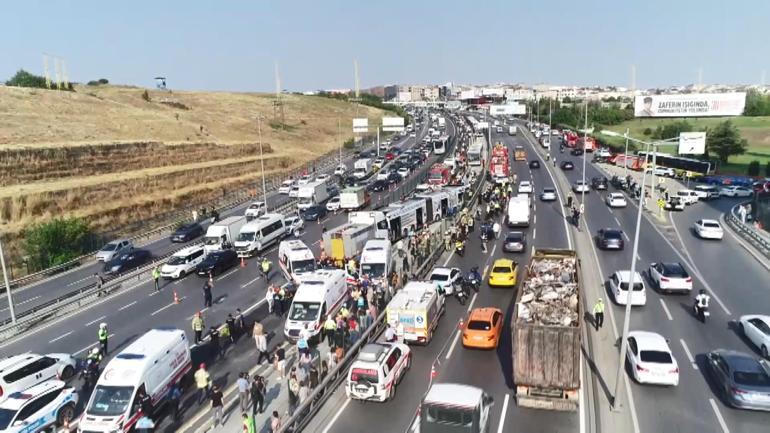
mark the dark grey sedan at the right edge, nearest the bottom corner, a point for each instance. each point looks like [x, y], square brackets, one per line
[741, 379]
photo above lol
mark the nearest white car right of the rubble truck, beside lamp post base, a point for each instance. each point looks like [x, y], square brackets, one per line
[651, 360]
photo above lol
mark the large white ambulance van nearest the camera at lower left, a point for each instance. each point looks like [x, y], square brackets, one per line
[153, 363]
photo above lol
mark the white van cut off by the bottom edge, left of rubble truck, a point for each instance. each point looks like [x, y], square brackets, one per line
[449, 407]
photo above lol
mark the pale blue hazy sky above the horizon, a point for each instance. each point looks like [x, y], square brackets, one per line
[233, 45]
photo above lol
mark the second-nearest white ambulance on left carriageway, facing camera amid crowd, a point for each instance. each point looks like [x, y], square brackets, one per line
[319, 294]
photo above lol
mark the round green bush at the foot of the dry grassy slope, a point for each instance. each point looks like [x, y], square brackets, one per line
[55, 242]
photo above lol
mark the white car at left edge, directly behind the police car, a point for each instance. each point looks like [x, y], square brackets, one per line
[20, 372]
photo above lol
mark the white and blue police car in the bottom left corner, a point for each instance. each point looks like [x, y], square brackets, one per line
[38, 408]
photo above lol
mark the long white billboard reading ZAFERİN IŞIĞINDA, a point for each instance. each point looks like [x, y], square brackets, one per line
[690, 105]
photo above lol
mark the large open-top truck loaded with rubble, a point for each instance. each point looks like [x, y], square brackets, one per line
[546, 332]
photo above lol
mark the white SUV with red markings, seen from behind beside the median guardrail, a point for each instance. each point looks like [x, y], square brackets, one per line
[377, 370]
